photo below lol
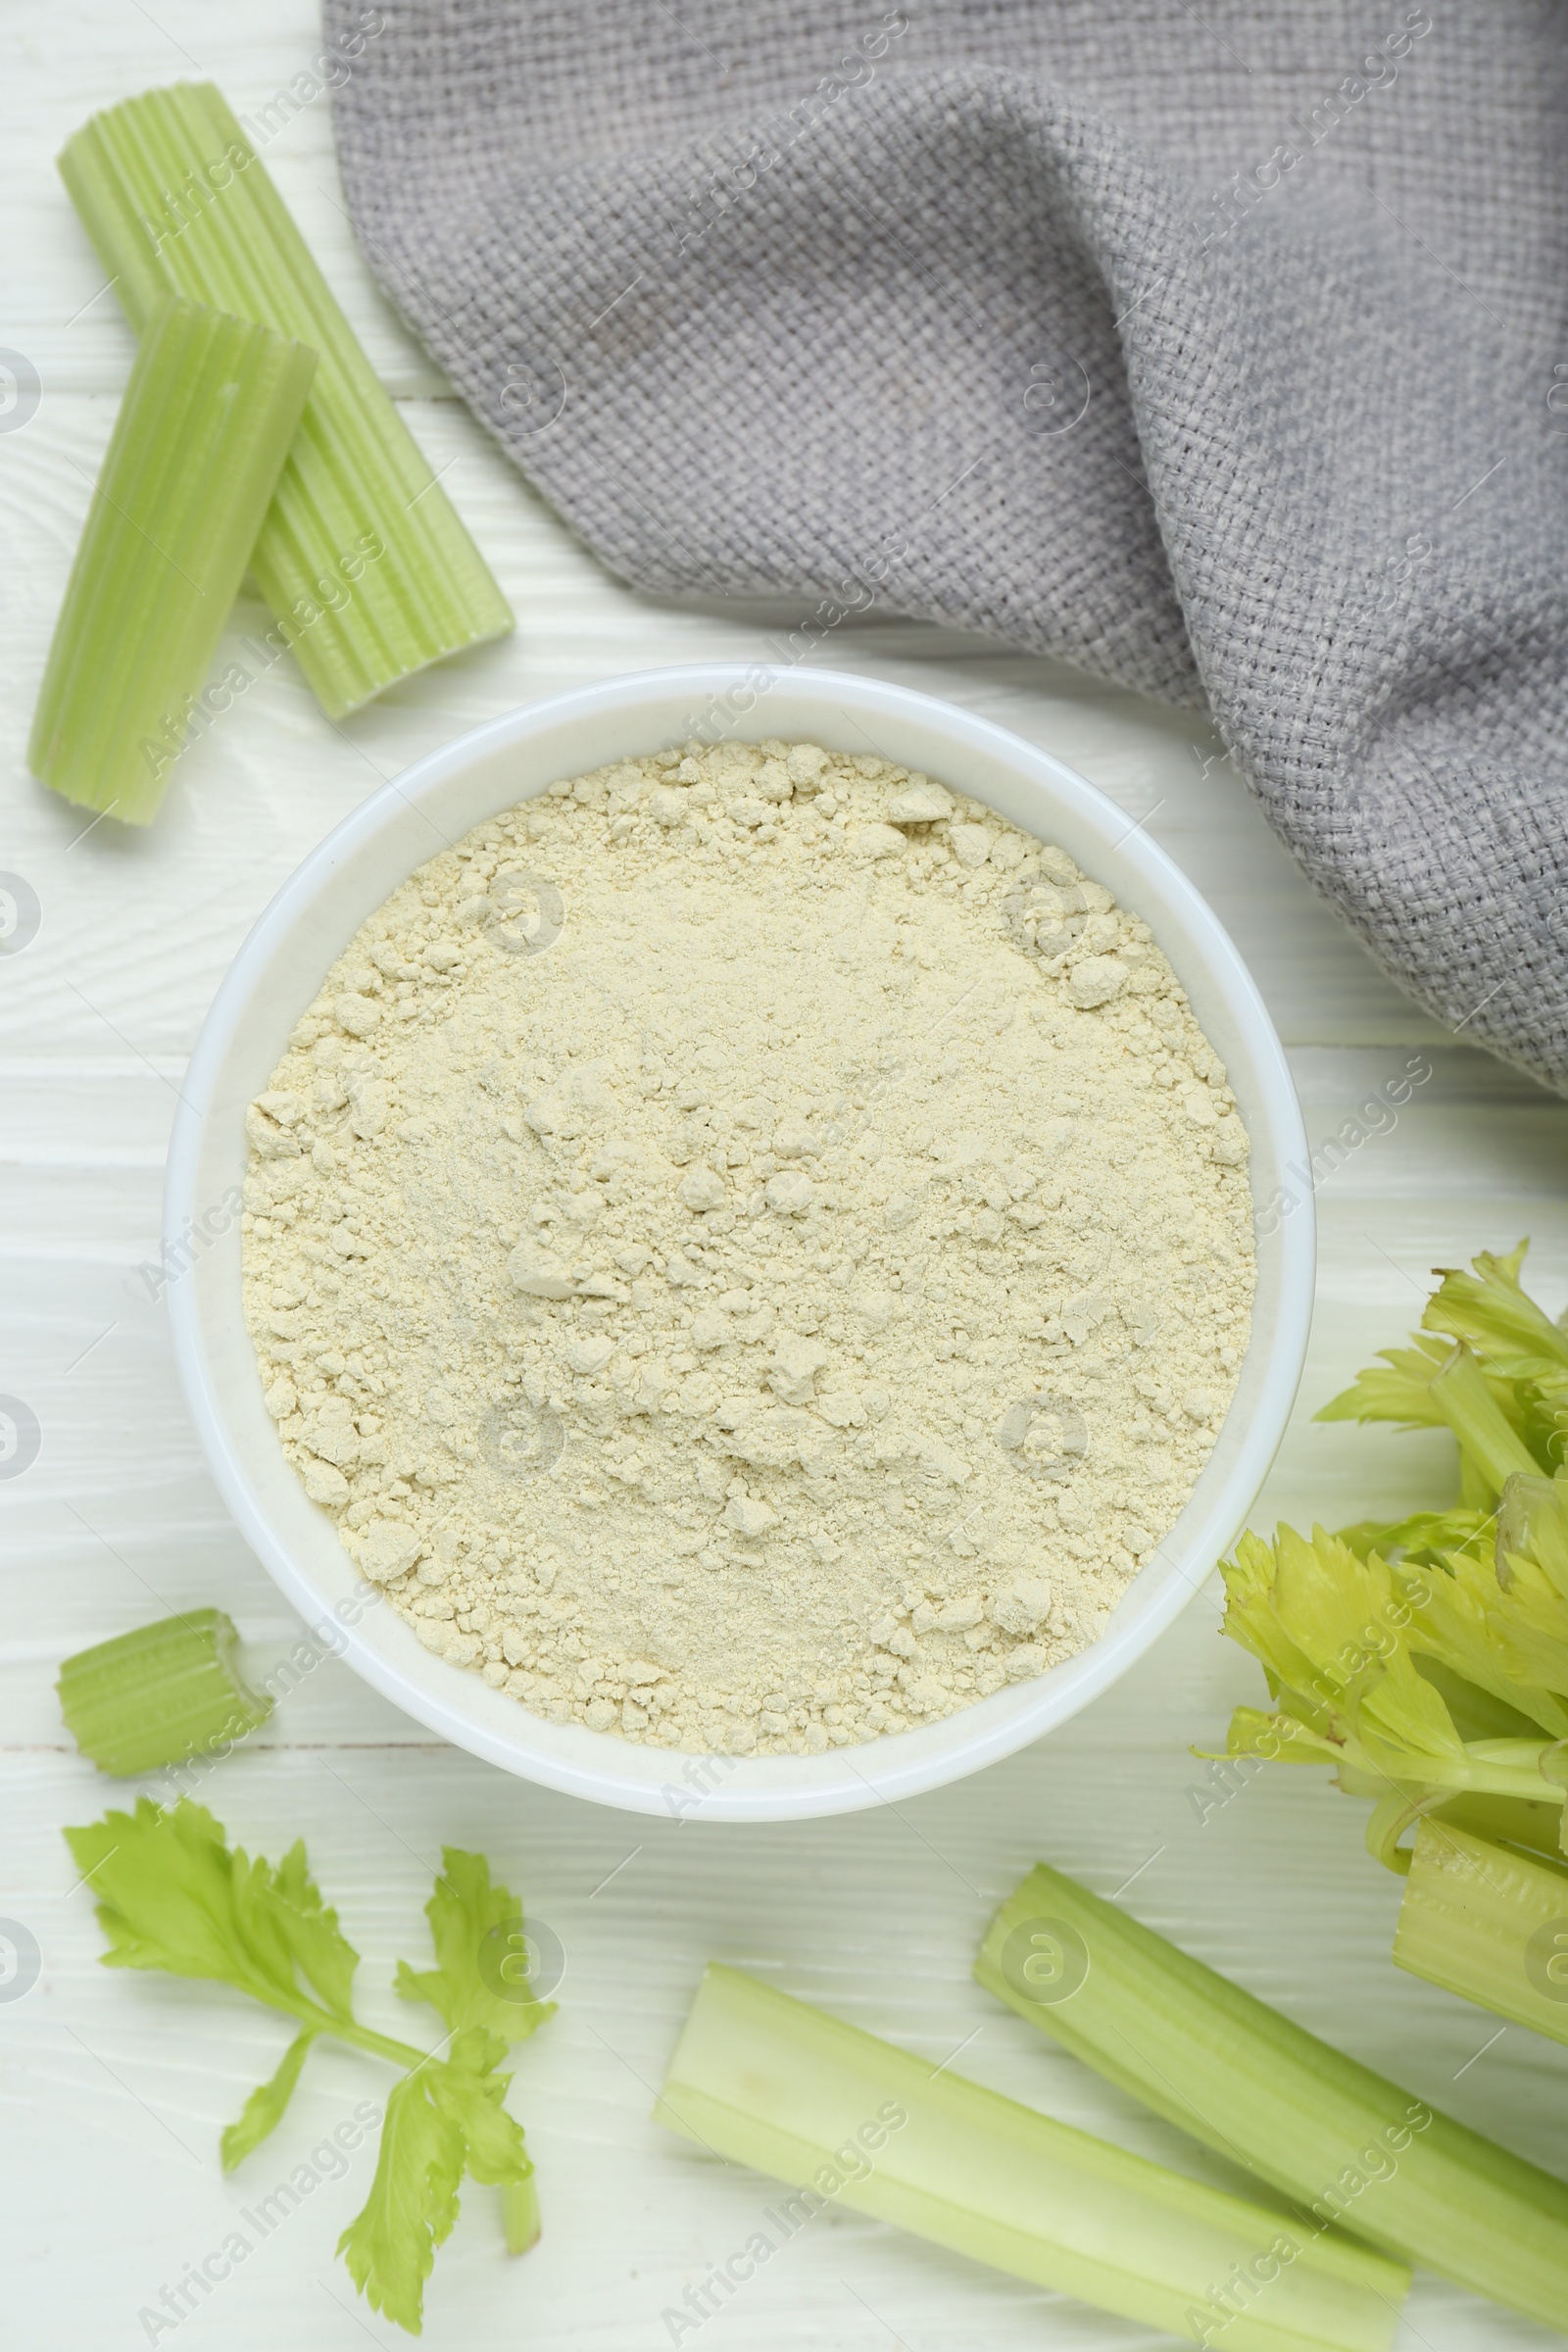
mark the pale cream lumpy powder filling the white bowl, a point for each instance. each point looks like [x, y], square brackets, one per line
[751, 1250]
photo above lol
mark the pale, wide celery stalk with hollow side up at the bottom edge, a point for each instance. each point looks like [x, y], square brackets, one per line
[777, 2085]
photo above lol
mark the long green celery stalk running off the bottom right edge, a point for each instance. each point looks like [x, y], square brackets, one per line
[1341, 2141]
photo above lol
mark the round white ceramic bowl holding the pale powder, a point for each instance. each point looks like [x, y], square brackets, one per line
[276, 977]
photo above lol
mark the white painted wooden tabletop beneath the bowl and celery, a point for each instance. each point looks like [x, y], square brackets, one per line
[114, 2087]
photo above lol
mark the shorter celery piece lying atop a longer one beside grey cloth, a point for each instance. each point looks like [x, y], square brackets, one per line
[206, 427]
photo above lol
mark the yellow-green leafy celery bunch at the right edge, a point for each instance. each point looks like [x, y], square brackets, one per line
[1428, 1657]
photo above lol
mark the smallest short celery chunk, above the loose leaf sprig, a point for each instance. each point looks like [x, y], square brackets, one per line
[161, 1695]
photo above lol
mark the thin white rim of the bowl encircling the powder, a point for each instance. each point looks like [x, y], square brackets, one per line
[880, 1770]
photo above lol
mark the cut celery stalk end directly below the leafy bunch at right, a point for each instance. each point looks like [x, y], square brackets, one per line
[1487, 1925]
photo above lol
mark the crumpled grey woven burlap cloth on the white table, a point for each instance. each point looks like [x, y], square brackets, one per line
[1221, 352]
